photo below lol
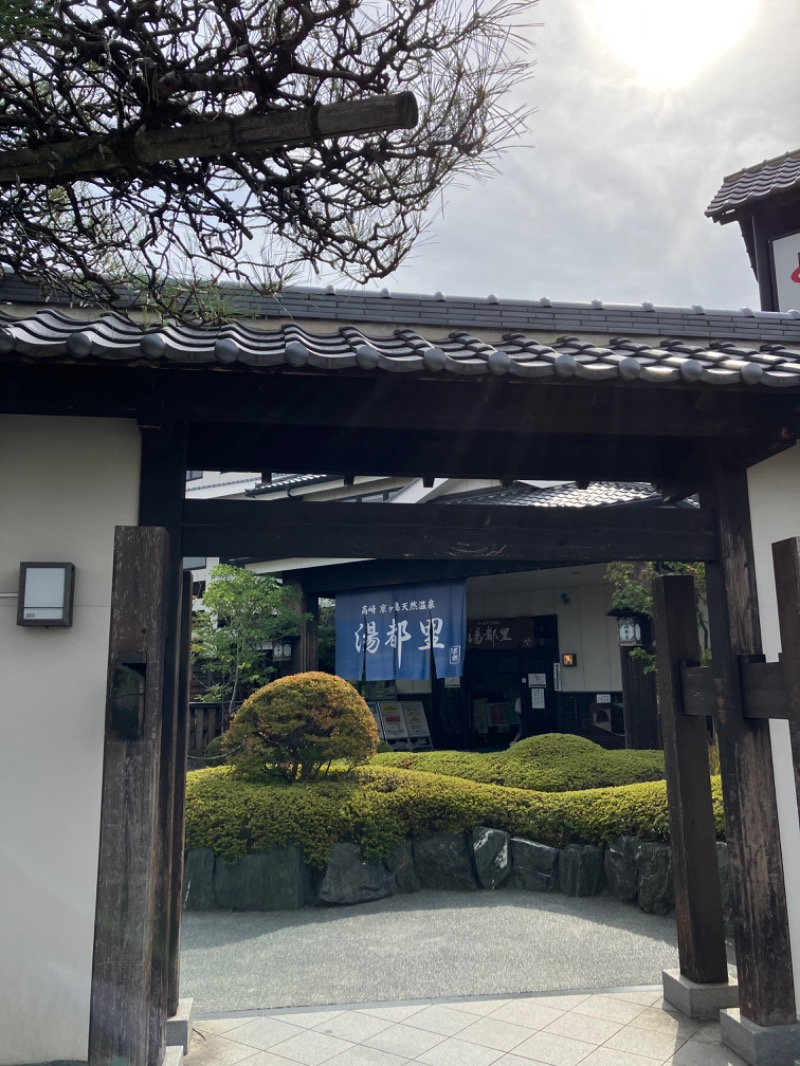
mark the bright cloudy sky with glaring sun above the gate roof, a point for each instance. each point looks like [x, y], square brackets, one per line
[643, 108]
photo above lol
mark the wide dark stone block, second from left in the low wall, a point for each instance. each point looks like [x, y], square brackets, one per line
[278, 880]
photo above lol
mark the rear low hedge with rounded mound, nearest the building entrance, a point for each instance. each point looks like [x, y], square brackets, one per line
[554, 763]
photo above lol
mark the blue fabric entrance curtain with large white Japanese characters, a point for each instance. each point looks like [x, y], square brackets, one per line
[391, 634]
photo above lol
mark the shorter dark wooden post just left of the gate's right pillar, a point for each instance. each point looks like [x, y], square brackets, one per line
[701, 936]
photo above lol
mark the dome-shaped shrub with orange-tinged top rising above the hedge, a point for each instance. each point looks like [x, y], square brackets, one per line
[297, 725]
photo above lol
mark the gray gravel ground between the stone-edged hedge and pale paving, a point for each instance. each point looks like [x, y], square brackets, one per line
[427, 945]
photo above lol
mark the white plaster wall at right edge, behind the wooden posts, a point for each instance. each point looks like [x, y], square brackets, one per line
[775, 508]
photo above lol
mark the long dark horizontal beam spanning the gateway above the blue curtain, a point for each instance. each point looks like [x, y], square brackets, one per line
[237, 528]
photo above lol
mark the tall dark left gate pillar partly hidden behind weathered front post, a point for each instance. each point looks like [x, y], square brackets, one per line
[162, 500]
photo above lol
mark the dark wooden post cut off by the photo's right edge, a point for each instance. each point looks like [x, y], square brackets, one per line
[787, 561]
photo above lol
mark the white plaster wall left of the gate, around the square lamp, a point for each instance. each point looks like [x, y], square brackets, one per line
[65, 486]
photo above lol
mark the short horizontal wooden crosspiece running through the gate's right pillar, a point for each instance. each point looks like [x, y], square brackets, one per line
[764, 692]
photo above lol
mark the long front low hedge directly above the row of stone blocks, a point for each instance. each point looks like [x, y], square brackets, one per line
[378, 809]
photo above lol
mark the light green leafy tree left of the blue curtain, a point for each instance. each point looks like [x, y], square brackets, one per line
[239, 613]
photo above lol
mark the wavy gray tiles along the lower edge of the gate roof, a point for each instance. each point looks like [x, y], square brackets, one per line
[724, 361]
